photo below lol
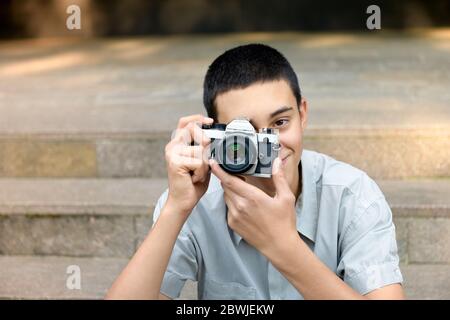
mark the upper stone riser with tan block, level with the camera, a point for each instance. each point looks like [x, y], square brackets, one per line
[382, 153]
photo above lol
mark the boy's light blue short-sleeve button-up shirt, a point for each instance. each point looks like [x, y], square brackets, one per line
[341, 215]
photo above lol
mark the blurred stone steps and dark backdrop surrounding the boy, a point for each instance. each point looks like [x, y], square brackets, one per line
[85, 115]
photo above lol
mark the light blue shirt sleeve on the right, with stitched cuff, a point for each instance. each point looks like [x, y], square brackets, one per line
[369, 258]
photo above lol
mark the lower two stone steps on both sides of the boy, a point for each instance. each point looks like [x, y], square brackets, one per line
[47, 225]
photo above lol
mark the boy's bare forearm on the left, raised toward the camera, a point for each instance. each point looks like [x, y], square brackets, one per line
[142, 277]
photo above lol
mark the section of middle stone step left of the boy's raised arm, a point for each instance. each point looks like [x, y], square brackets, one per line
[76, 217]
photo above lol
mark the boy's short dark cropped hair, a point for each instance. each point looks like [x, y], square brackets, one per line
[243, 66]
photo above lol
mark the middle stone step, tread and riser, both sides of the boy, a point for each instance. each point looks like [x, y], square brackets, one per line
[110, 217]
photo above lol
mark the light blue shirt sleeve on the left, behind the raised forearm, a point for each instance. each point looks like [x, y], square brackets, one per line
[183, 261]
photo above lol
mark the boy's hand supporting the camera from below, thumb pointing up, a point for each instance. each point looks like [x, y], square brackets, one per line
[263, 221]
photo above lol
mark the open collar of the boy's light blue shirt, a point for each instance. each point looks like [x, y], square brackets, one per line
[306, 204]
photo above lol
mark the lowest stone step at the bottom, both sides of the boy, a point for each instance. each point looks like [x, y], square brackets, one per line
[25, 277]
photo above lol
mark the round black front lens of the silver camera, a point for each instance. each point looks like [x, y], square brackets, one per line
[238, 154]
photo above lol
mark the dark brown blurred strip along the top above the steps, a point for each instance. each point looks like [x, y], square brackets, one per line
[37, 18]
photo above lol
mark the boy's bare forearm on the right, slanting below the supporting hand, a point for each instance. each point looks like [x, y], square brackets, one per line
[310, 276]
